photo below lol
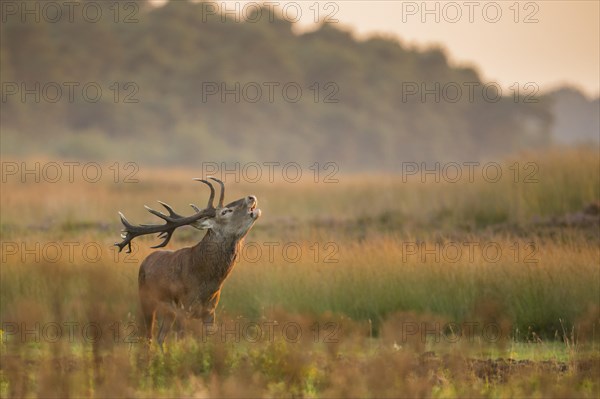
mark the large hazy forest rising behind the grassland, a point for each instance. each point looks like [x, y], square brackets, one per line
[176, 85]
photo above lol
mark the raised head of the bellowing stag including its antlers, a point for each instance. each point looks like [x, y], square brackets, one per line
[232, 220]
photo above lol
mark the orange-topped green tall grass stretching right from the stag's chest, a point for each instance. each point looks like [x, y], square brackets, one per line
[371, 281]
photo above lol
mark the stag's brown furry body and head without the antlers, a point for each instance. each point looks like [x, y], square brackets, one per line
[187, 283]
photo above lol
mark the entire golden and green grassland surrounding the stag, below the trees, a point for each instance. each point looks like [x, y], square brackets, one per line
[371, 286]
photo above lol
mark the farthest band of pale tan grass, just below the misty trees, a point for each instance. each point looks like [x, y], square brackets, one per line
[553, 183]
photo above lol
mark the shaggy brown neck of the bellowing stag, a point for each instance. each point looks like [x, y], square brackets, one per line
[215, 255]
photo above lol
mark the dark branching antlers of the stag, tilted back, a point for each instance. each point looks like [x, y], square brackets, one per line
[173, 220]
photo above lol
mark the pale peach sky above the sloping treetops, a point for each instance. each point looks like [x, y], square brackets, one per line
[559, 43]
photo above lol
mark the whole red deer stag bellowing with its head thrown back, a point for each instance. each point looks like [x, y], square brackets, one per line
[187, 283]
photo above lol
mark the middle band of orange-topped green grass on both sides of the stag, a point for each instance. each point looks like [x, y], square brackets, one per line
[371, 280]
